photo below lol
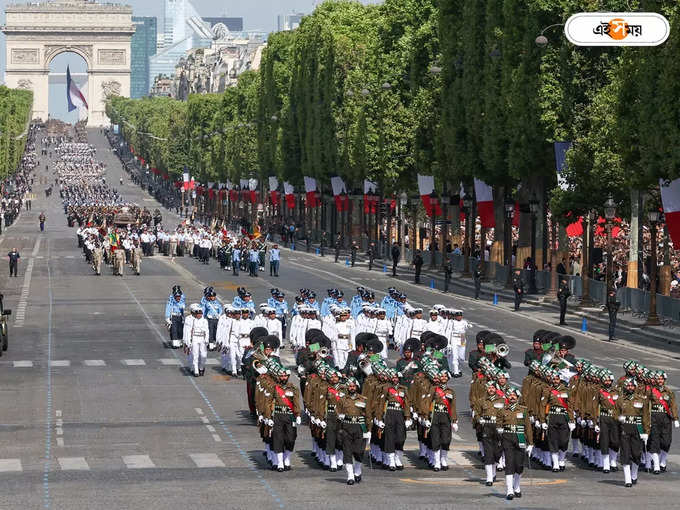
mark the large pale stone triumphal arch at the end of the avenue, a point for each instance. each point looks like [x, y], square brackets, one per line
[100, 33]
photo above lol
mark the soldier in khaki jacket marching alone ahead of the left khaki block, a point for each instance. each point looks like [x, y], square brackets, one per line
[353, 414]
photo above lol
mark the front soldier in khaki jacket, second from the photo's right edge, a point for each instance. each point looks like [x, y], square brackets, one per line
[633, 413]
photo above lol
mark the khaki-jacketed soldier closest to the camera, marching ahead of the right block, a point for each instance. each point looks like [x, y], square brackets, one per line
[517, 439]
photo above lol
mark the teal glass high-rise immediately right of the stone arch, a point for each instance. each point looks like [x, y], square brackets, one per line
[142, 48]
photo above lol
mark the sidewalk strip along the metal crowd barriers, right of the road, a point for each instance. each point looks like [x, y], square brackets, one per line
[540, 304]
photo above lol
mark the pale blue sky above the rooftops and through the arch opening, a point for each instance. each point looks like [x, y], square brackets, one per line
[256, 14]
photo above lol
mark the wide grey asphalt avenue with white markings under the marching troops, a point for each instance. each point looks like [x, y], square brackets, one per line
[98, 413]
